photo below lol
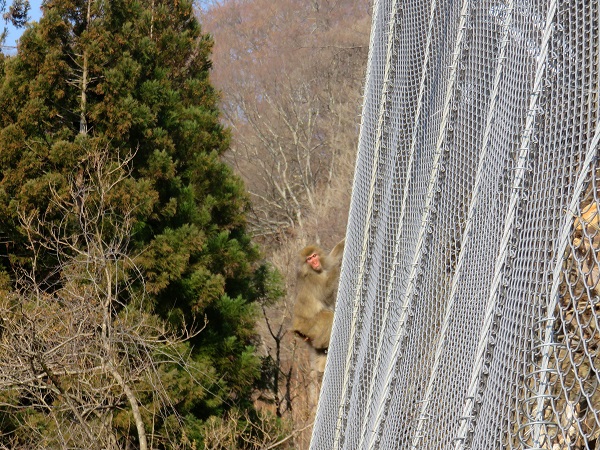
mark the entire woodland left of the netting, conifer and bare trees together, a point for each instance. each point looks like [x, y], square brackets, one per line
[161, 164]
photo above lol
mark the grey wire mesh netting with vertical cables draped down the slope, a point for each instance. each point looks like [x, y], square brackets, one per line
[469, 303]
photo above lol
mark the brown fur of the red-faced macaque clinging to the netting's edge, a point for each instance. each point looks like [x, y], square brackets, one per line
[317, 290]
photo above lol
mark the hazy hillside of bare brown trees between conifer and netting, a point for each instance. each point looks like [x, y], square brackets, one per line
[291, 75]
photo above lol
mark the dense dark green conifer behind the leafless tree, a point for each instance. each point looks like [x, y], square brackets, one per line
[132, 77]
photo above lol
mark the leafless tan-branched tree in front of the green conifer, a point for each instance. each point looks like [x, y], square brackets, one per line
[81, 356]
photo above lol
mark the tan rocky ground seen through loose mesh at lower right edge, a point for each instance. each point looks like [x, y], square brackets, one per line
[576, 339]
